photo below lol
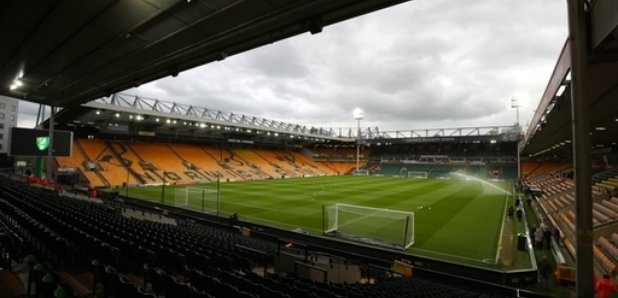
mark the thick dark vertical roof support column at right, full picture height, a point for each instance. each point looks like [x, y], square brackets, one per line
[578, 34]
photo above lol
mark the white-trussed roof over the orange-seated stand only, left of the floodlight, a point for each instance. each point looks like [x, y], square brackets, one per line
[124, 114]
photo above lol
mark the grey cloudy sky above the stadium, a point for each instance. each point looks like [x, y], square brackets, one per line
[421, 64]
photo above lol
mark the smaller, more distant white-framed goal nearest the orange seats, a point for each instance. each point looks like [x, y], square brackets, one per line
[199, 199]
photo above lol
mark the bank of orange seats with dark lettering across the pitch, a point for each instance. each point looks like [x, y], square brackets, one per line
[189, 163]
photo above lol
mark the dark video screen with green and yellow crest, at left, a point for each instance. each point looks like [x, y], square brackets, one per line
[36, 142]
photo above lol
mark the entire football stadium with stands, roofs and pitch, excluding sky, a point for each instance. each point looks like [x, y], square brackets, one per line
[114, 194]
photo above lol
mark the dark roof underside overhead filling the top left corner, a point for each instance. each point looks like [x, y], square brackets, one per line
[64, 53]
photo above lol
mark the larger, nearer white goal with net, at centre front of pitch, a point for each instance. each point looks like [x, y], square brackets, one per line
[376, 226]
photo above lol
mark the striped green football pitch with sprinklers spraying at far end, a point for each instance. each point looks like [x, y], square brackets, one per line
[456, 220]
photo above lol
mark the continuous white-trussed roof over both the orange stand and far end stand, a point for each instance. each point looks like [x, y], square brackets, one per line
[130, 115]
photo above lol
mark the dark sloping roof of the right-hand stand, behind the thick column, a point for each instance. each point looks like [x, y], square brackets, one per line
[550, 132]
